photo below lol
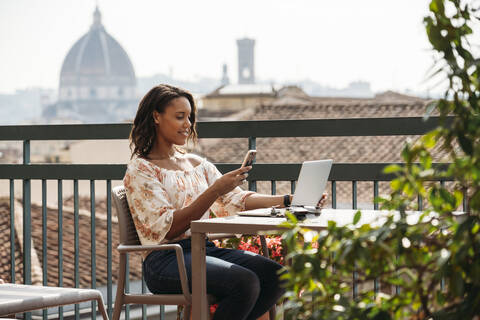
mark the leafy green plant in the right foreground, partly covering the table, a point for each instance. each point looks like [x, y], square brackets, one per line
[429, 269]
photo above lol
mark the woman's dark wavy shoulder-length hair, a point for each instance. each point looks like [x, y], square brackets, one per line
[143, 134]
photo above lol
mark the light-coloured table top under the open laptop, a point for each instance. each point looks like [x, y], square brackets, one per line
[253, 225]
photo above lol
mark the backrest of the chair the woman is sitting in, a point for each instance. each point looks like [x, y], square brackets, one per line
[128, 233]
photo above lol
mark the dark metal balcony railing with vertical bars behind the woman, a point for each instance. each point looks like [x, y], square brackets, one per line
[250, 130]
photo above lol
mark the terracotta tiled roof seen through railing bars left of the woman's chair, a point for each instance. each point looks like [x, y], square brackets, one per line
[68, 247]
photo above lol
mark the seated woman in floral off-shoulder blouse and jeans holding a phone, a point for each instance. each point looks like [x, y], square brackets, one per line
[167, 189]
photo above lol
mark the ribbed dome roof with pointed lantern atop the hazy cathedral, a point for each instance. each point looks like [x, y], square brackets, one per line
[97, 57]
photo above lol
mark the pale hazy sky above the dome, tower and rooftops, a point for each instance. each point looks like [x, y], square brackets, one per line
[331, 42]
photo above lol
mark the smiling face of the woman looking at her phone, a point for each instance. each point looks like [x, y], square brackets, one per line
[173, 125]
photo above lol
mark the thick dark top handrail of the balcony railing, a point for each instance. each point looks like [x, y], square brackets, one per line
[235, 129]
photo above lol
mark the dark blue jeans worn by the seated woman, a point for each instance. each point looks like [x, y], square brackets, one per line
[245, 284]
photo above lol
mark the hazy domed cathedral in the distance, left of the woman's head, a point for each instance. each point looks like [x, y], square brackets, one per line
[97, 80]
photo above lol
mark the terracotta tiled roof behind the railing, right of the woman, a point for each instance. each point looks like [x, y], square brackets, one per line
[370, 149]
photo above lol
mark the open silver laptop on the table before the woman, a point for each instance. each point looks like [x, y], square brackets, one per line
[312, 181]
